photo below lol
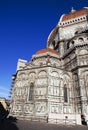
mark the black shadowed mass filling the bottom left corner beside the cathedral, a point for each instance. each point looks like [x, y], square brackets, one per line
[7, 123]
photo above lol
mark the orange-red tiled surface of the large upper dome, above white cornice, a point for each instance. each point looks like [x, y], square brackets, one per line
[72, 15]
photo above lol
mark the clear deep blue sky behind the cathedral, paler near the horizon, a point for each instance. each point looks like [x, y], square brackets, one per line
[24, 28]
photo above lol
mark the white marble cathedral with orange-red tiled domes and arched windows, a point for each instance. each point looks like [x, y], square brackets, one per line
[53, 86]
